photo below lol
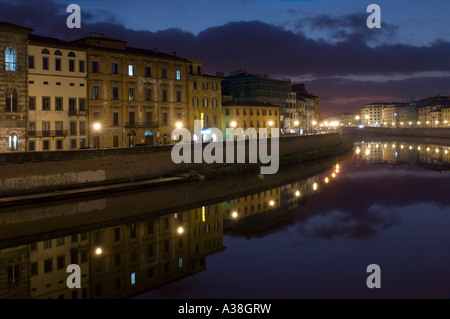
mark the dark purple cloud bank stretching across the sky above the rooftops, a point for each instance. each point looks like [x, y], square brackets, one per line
[270, 49]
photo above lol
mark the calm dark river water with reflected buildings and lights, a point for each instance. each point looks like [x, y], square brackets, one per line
[388, 205]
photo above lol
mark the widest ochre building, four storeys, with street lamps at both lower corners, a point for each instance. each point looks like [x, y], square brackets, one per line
[135, 96]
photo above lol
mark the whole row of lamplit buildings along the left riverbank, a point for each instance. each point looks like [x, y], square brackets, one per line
[99, 92]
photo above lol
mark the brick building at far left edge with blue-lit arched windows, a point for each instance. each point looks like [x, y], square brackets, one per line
[13, 84]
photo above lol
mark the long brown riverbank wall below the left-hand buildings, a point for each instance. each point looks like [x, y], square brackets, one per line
[37, 172]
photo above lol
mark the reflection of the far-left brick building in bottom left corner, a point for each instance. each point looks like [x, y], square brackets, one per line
[14, 273]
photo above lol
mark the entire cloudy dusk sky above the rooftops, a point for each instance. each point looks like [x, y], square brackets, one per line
[322, 43]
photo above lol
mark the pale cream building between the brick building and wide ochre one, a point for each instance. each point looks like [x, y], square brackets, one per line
[57, 106]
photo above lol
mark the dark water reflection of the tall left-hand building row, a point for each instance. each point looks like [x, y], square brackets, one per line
[115, 262]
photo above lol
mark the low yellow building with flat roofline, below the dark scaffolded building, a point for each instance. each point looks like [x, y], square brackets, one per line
[241, 114]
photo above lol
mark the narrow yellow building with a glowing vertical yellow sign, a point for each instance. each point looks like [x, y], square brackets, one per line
[204, 100]
